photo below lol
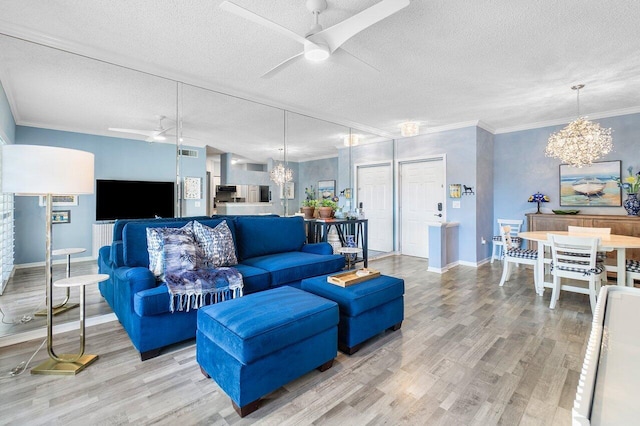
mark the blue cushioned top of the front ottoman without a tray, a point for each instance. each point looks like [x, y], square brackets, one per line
[256, 325]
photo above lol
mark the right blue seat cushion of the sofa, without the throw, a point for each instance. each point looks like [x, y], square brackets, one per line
[295, 265]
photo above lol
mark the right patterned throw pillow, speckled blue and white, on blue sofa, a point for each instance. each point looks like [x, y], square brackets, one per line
[216, 244]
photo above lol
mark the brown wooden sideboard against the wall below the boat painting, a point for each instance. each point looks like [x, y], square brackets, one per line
[620, 225]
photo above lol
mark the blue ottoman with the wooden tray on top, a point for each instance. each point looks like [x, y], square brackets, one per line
[366, 309]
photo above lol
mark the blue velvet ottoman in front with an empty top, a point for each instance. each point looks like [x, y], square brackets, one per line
[255, 344]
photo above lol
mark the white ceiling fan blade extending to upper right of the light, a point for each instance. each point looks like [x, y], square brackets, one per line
[338, 34]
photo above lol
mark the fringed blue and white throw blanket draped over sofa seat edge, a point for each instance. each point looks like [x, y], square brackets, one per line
[194, 289]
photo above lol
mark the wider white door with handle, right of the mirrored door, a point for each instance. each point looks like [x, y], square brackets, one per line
[421, 189]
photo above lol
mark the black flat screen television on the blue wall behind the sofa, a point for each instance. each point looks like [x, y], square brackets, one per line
[128, 199]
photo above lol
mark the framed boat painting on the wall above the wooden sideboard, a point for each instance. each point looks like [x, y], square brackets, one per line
[593, 186]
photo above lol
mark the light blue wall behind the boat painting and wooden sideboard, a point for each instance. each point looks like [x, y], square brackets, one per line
[521, 168]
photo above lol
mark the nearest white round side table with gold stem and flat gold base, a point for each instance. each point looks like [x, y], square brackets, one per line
[70, 364]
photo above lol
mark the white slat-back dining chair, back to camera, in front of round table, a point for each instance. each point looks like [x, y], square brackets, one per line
[575, 257]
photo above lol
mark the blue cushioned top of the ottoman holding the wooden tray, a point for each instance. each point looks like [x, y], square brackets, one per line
[357, 298]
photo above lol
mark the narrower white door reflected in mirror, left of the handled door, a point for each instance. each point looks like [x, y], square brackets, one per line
[375, 192]
